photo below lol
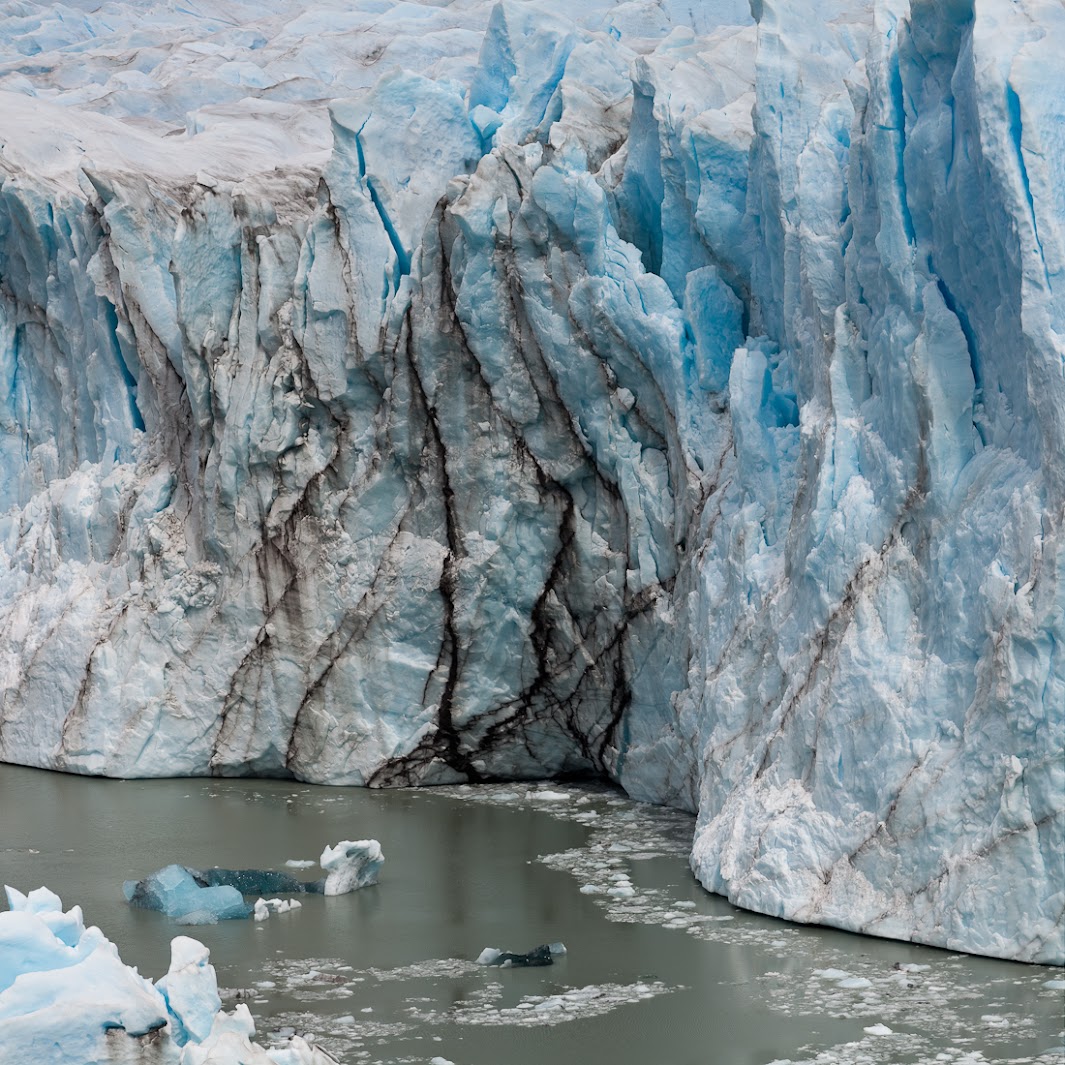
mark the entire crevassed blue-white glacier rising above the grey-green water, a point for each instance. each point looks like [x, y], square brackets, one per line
[420, 392]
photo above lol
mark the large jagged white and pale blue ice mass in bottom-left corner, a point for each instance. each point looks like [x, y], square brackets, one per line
[64, 988]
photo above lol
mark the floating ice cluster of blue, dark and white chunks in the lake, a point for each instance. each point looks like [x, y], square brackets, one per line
[208, 896]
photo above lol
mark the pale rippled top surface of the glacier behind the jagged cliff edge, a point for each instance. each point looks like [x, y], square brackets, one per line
[234, 88]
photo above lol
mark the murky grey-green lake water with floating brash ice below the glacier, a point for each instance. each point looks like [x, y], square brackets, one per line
[663, 975]
